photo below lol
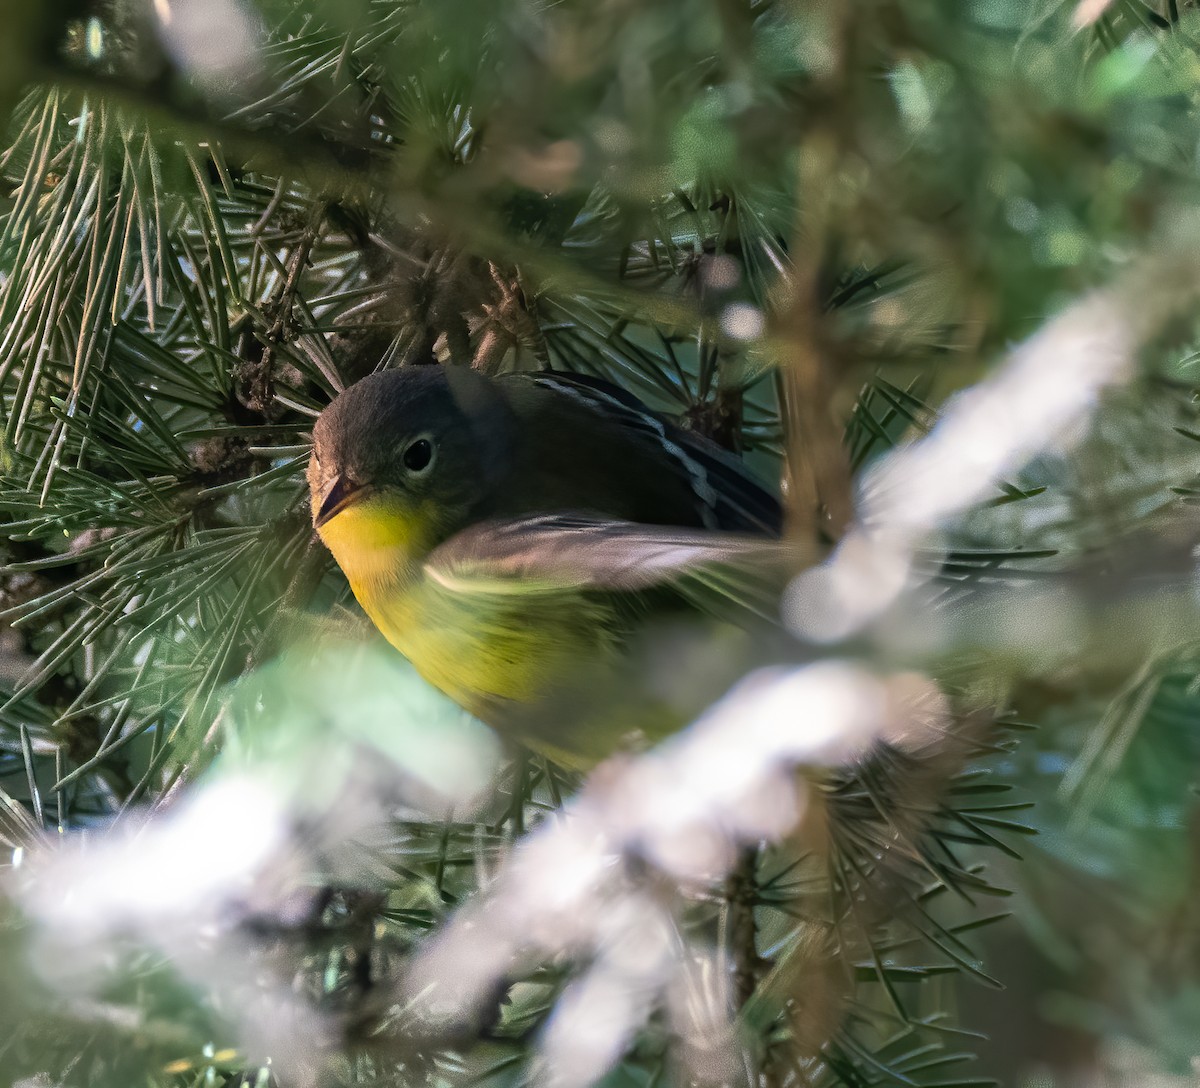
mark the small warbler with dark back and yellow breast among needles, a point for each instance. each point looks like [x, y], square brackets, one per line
[535, 544]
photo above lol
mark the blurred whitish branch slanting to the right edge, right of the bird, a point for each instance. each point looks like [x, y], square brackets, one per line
[1040, 401]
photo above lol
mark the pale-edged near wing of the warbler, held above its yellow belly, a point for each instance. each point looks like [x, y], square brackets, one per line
[724, 575]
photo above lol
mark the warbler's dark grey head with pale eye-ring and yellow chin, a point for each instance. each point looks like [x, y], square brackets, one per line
[405, 459]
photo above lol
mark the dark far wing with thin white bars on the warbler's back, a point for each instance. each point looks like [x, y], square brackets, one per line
[730, 498]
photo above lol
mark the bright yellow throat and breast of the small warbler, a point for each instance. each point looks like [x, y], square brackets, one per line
[545, 668]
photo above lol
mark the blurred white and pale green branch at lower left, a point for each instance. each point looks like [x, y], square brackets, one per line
[357, 737]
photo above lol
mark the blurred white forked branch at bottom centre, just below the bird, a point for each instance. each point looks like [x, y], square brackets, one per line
[686, 808]
